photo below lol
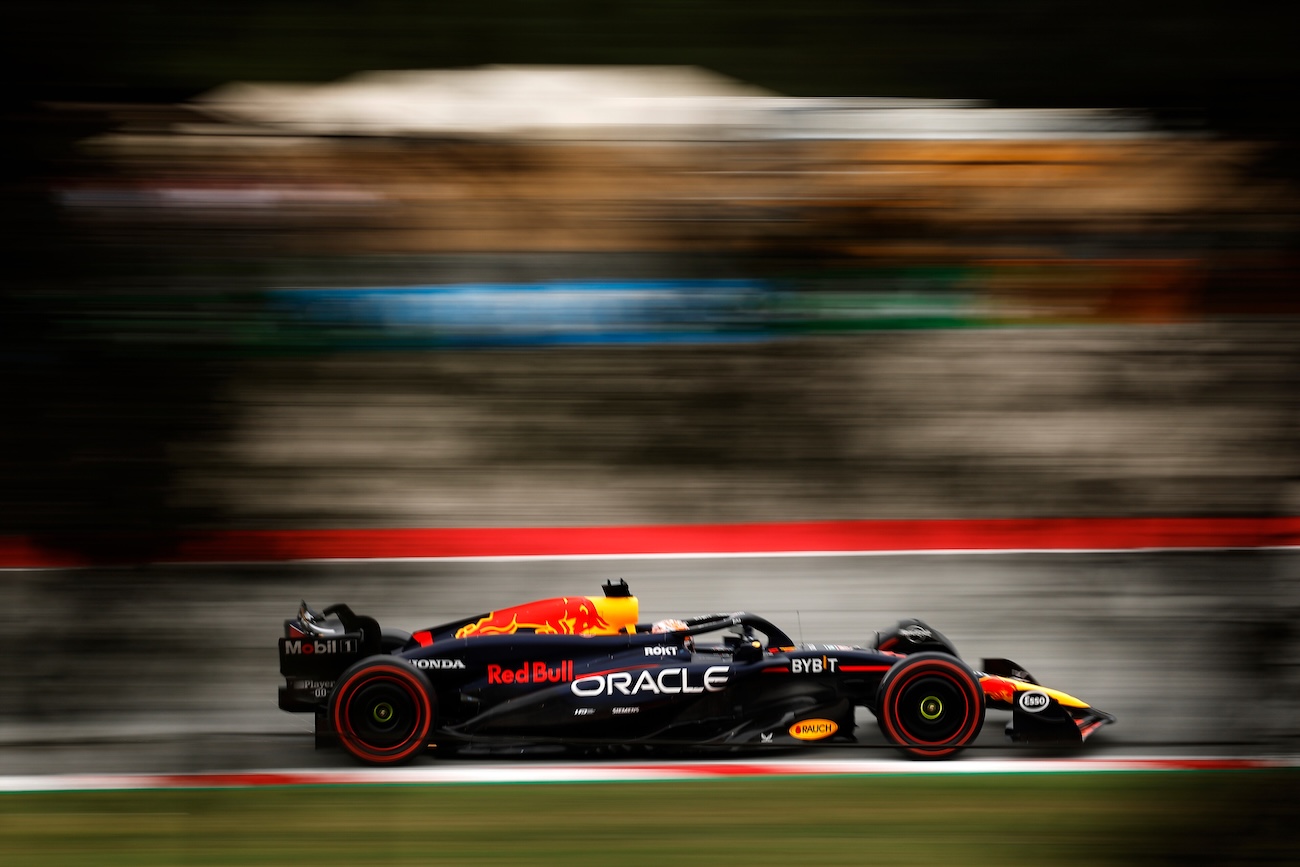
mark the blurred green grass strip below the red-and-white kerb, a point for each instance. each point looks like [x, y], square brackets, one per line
[1185, 818]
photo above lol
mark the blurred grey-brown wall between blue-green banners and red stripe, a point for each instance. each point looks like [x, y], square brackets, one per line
[1051, 422]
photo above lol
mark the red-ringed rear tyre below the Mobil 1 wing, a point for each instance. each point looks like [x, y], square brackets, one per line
[383, 712]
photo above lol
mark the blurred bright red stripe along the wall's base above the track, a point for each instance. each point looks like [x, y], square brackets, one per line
[744, 540]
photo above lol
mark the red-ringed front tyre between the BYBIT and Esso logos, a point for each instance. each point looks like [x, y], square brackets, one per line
[930, 706]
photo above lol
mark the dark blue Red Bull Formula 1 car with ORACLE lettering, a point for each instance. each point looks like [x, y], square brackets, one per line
[582, 673]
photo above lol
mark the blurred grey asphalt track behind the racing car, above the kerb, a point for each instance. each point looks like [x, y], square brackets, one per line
[174, 669]
